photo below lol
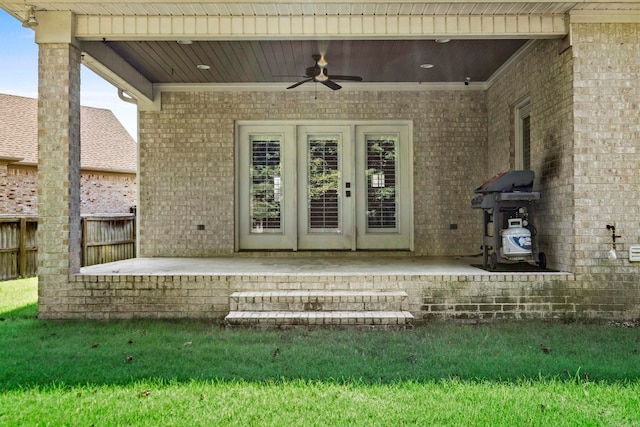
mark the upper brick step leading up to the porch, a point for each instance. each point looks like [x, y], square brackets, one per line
[310, 301]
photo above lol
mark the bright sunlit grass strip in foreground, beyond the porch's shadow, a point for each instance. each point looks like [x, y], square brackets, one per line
[305, 403]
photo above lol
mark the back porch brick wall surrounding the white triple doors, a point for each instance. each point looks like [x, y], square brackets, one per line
[187, 156]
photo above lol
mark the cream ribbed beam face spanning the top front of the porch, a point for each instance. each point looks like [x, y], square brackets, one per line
[93, 27]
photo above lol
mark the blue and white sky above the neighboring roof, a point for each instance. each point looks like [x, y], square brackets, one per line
[19, 74]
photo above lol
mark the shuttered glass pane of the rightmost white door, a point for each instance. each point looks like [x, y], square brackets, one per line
[381, 181]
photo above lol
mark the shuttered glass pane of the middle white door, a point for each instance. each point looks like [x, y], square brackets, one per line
[323, 184]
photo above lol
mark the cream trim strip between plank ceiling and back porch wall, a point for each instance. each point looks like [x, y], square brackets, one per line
[347, 87]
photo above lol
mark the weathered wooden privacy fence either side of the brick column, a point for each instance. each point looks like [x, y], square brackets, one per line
[105, 238]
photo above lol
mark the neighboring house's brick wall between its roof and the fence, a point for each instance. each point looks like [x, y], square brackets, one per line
[100, 192]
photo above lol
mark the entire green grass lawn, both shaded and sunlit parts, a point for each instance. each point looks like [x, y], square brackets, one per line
[191, 373]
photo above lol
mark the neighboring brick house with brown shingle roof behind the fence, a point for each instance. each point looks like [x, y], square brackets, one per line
[108, 173]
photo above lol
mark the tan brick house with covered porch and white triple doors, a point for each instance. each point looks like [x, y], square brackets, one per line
[231, 160]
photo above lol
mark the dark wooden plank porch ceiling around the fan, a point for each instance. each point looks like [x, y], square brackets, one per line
[286, 60]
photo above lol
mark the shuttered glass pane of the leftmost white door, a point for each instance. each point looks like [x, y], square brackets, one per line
[266, 185]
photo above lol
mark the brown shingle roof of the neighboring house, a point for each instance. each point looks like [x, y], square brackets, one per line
[105, 143]
